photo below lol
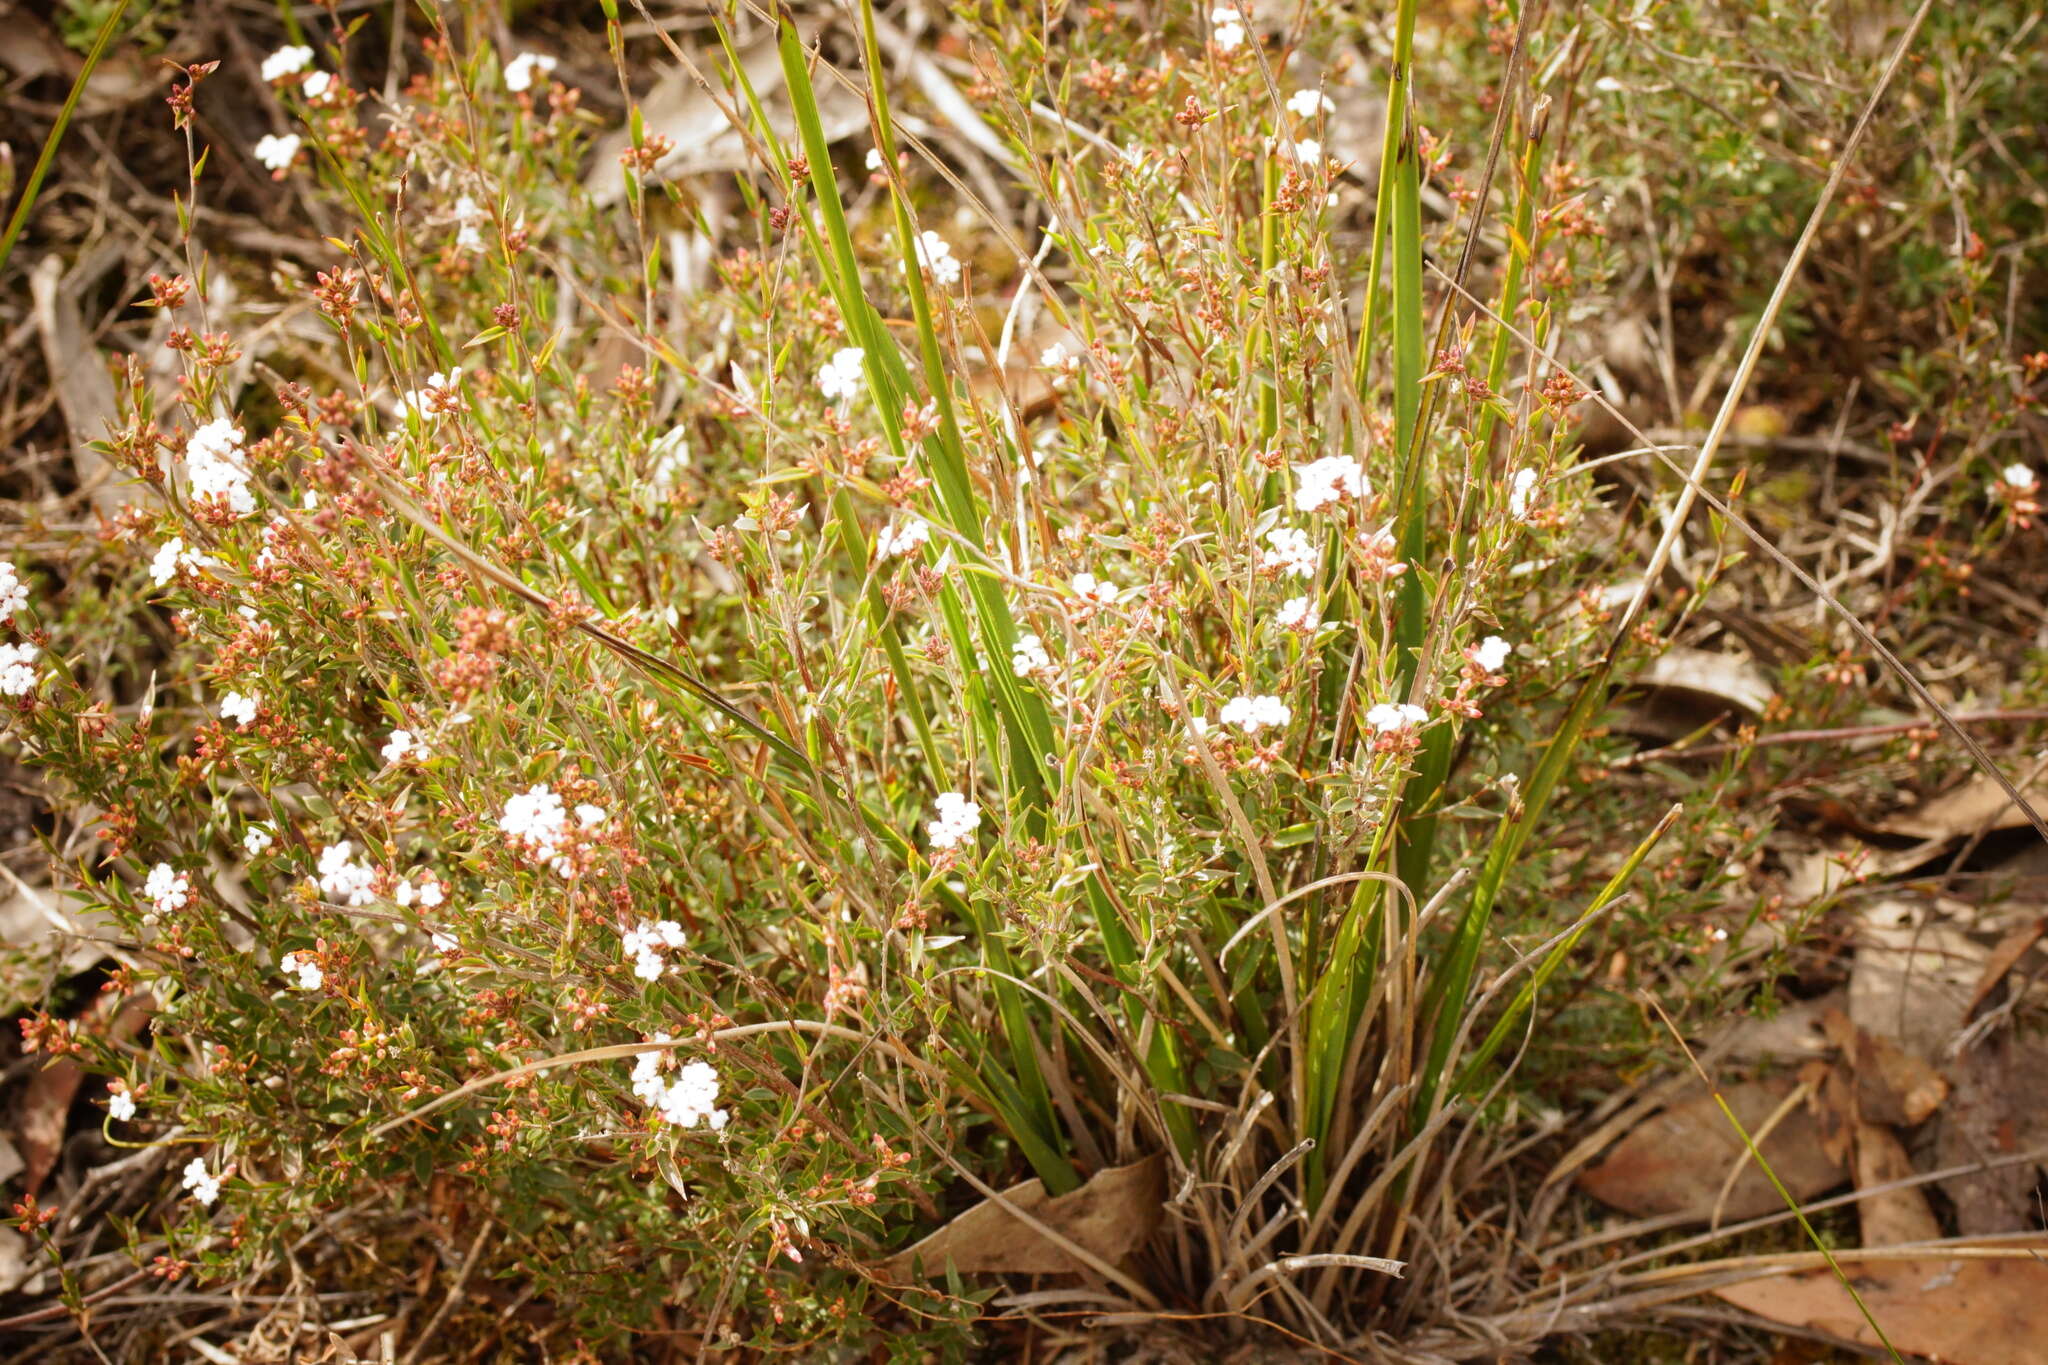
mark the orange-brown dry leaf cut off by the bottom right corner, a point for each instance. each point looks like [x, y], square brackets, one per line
[1963, 1313]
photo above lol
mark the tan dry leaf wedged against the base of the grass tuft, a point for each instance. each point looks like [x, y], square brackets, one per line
[1109, 1217]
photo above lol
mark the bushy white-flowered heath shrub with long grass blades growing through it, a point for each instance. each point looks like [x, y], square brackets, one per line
[710, 736]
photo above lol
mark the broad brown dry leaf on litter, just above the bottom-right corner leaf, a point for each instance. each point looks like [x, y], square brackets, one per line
[1678, 1161]
